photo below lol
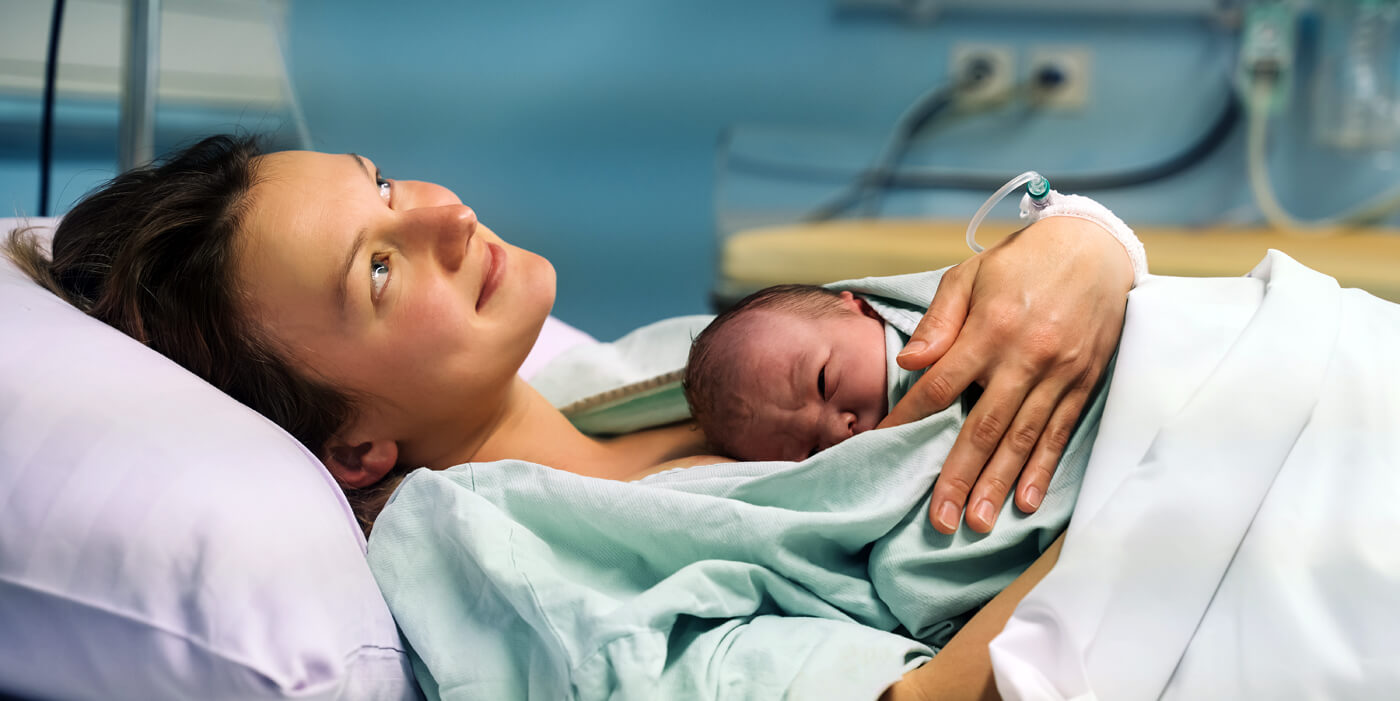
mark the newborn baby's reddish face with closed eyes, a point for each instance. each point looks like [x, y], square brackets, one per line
[808, 384]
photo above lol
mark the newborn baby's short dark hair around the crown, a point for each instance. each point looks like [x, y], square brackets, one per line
[712, 380]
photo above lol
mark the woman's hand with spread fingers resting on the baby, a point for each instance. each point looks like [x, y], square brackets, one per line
[1034, 320]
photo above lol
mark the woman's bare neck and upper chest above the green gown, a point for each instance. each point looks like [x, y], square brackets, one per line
[530, 429]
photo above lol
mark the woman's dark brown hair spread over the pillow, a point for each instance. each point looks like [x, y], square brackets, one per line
[152, 254]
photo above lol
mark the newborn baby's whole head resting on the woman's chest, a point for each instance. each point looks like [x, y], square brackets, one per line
[789, 371]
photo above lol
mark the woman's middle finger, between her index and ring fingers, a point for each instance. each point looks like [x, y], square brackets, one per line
[975, 444]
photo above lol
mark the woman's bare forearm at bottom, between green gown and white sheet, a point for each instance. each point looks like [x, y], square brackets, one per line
[964, 668]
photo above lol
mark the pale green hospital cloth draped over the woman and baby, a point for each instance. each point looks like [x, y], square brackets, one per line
[821, 579]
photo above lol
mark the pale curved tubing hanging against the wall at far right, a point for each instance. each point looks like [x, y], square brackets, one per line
[1259, 181]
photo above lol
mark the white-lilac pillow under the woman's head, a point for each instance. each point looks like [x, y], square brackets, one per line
[162, 541]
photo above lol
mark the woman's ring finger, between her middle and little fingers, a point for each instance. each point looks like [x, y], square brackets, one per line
[1016, 448]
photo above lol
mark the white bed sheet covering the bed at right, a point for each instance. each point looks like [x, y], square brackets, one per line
[1237, 531]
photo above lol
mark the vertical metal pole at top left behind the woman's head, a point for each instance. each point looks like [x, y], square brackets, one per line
[139, 80]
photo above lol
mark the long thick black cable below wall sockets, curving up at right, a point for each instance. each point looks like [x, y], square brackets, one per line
[1198, 152]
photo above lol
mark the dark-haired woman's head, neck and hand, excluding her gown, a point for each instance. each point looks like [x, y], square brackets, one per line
[383, 325]
